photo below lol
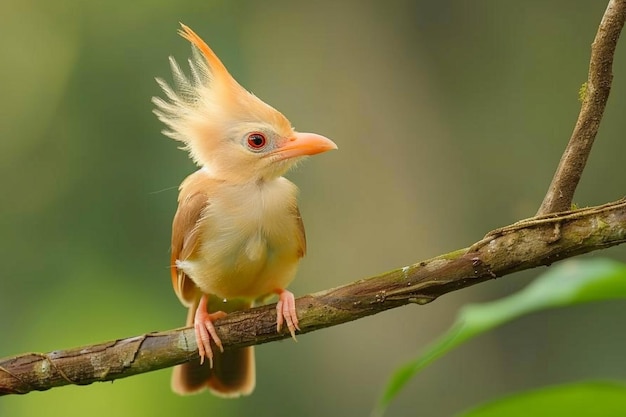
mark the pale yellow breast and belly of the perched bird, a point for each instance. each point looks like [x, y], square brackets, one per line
[250, 241]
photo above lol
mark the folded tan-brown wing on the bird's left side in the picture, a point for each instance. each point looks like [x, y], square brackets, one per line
[192, 201]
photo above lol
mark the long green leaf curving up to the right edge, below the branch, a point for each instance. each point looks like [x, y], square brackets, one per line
[570, 283]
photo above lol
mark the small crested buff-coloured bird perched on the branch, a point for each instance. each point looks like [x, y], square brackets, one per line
[237, 235]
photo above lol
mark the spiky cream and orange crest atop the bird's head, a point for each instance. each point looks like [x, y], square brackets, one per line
[203, 107]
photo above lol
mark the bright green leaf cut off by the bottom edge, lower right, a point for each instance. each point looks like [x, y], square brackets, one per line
[581, 399]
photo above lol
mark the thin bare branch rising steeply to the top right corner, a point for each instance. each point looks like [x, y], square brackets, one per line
[595, 95]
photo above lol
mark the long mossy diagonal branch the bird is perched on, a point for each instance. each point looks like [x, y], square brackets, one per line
[524, 245]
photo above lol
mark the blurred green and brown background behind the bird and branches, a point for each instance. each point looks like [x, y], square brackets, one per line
[450, 117]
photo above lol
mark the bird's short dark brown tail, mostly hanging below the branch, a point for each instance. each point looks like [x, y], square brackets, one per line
[233, 372]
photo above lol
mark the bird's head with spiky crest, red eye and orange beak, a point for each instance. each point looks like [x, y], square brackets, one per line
[225, 128]
